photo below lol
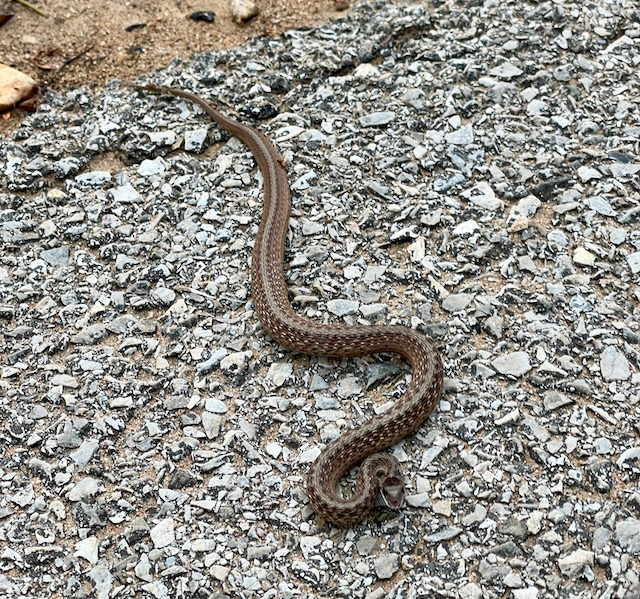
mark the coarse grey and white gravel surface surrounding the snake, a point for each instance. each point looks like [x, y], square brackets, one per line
[467, 169]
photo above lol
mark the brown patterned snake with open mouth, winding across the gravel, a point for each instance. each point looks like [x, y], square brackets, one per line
[379, 473]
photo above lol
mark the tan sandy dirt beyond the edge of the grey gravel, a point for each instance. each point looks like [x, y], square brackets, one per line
[89, 42]
